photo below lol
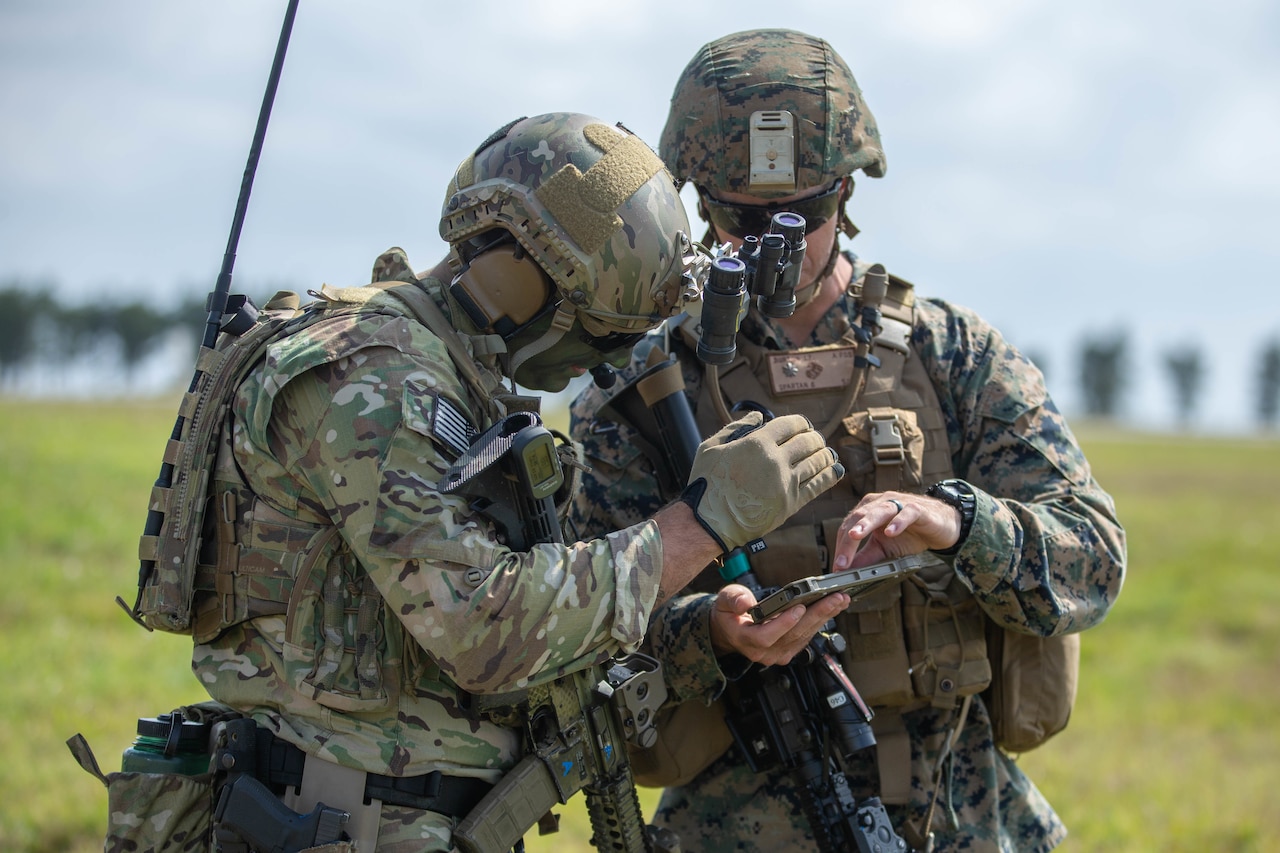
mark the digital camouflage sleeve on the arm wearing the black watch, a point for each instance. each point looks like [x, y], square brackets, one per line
[1046, 554]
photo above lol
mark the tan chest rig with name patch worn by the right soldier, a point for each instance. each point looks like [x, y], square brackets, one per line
[917, 644]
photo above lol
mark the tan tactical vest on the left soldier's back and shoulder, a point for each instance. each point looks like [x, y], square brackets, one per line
[225, 555]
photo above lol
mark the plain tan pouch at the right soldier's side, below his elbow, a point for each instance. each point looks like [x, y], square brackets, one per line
[1034, 686]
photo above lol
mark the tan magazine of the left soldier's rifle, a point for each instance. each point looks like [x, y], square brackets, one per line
[506, 813]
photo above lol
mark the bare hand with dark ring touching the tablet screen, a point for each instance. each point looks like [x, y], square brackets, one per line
[888, 526]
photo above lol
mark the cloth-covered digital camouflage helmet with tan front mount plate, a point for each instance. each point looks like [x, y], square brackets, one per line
[769, 113]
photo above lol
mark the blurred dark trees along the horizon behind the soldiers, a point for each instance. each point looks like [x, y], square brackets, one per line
[39, 331]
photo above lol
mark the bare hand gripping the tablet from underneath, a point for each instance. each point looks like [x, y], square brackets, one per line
[775, 641]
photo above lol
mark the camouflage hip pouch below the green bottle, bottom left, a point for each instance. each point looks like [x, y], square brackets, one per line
[171, 813]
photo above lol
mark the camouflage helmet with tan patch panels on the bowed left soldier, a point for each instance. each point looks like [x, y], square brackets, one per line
[597, 211]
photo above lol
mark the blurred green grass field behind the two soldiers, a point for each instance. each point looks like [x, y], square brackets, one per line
[1174, 743]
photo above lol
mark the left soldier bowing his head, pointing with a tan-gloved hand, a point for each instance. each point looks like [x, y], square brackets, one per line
[367, 606]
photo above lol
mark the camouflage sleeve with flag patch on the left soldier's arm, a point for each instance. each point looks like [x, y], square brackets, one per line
[354, 435]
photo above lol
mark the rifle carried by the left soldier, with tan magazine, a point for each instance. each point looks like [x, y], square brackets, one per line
[577, 729]
